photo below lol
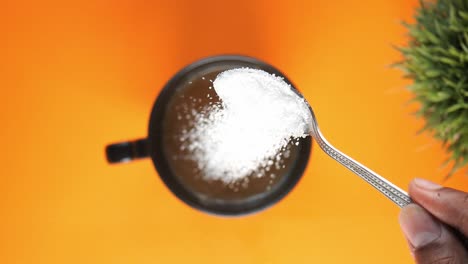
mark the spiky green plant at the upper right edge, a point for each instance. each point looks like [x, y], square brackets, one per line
[436, 59]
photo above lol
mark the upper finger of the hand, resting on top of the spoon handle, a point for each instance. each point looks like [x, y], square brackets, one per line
[446, 204]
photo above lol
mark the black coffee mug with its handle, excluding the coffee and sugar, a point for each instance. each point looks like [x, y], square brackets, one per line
[153, 145]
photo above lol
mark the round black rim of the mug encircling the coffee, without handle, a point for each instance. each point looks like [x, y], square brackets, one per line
[156, 149]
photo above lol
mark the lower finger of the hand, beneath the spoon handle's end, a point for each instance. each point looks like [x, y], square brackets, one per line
[430, 241]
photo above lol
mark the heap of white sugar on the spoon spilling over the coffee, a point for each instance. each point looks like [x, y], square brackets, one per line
[248, 132]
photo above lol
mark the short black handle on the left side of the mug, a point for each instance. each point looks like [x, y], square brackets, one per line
[127, 151]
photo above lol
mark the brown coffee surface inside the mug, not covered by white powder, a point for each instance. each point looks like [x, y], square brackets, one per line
[194, 95]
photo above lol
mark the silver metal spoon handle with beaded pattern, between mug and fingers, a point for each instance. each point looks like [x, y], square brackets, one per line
[387, 188]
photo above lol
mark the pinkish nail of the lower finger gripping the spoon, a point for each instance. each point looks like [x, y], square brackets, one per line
[419, 227]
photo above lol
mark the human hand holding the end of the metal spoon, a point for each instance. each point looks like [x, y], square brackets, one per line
[425, 226]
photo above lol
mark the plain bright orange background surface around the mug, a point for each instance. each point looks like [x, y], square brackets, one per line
[78, 75]
